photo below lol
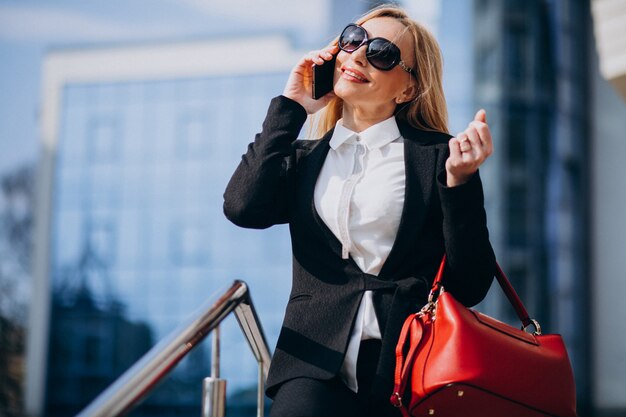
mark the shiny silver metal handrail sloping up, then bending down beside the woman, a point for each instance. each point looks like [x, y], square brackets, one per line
[132, 386]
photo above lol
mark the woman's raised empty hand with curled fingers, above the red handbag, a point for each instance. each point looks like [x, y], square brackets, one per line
[468, 150]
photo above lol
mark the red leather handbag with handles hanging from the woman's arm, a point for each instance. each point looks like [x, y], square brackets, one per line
[454, 361]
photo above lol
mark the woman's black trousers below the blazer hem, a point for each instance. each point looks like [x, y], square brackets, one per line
[307, 397]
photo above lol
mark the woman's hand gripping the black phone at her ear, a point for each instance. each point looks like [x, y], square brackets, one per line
[300, 82]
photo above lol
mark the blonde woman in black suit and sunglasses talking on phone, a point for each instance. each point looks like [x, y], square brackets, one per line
[372, 207]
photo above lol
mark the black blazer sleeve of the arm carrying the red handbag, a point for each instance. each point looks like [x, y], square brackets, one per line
[471, 261]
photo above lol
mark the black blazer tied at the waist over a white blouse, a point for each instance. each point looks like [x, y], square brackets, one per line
[274, 184]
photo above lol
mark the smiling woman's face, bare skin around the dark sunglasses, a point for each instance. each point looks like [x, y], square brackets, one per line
[359, 84]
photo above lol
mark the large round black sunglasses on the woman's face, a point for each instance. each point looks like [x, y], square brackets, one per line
[381, 53]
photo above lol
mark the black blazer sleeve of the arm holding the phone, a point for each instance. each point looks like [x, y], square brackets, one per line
[256, 195]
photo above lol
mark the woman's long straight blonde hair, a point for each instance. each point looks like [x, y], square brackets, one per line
[428, 109]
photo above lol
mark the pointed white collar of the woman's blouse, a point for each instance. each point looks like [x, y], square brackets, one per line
[374, 137]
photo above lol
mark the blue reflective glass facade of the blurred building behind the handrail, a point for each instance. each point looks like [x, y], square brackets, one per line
[139, 237]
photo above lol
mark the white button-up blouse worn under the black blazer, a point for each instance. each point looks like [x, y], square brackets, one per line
[359, 194]
